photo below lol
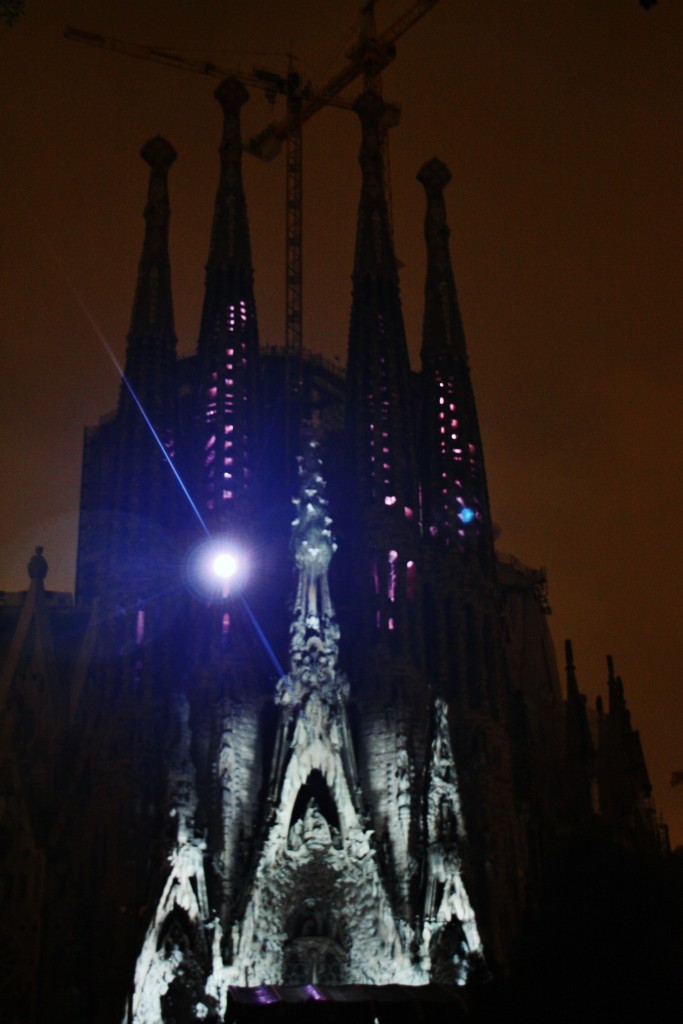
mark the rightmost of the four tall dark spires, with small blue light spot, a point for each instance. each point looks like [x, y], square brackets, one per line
[454, 483]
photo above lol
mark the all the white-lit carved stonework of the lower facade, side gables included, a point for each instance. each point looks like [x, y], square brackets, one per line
[319, 908]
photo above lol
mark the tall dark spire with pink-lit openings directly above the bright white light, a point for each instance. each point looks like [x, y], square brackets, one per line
[228, 349]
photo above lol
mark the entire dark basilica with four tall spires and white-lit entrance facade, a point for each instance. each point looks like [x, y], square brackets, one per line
[186, 825]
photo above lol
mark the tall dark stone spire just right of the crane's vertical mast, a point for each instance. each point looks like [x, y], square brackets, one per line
[381, 428]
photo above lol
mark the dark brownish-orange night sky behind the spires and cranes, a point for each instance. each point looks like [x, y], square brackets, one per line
[562, 123]
